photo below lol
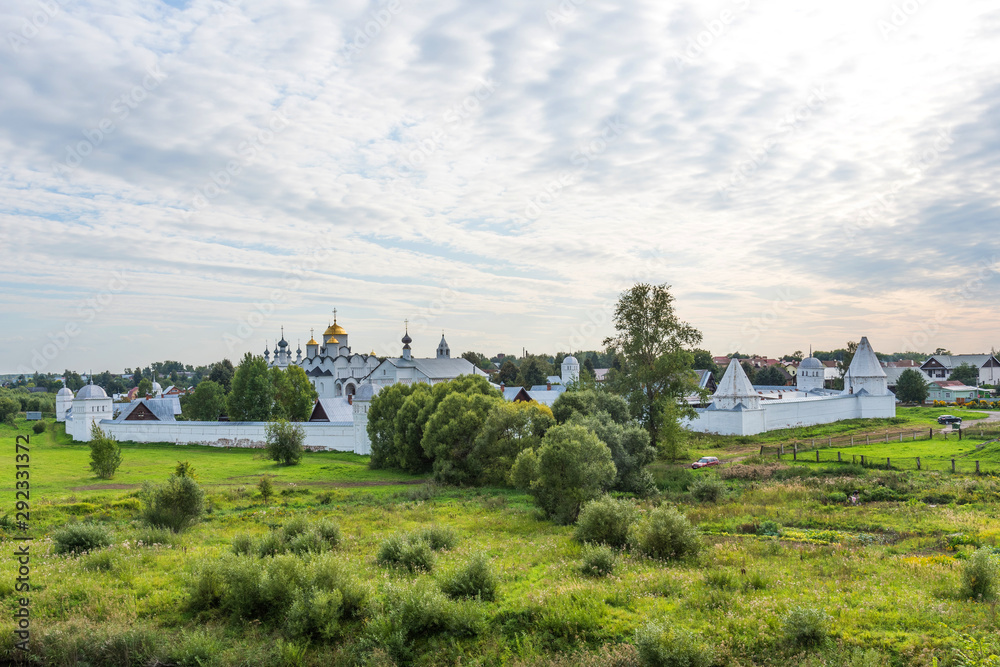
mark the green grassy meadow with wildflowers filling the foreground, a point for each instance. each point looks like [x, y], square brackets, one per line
[882, 578]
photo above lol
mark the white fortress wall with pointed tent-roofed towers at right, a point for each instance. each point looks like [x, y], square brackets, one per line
[739, 408]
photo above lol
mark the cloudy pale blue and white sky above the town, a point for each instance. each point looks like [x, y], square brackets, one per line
[180, 180]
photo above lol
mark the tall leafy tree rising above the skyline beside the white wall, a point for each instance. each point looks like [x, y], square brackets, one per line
[653, 345]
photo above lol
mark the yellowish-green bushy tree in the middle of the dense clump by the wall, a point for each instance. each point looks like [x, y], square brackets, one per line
[451, 432]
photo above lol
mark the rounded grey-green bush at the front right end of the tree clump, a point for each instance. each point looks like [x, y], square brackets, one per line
[571, 467]
